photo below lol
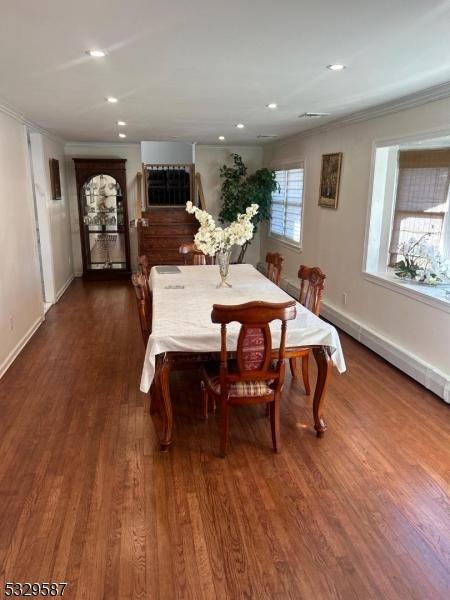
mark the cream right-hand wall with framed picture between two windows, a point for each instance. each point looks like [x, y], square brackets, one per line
[334, 239]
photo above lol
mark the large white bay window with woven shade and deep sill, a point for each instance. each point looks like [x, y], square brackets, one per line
[409, 199]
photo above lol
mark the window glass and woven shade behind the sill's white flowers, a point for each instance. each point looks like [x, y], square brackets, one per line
[421, 201]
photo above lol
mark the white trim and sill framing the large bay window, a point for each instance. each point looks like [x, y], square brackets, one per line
[432, 296]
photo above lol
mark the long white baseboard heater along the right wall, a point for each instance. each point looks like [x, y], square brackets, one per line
[431, 378]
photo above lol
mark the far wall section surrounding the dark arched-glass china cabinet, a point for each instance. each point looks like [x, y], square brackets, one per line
[132, 154]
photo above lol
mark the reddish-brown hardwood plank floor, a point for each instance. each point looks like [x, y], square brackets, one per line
[86, 498]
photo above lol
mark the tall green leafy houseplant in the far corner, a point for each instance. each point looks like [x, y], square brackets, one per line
[240, 190]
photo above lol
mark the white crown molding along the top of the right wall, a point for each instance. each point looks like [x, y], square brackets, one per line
[433, 94]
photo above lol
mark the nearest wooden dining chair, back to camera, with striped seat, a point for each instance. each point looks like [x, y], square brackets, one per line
[252, 377]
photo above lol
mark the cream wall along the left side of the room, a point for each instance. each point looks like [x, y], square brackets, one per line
[21, 296]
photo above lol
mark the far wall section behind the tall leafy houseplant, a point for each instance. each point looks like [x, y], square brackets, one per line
[208, 160]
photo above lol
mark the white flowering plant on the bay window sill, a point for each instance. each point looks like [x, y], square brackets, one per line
[422, 262]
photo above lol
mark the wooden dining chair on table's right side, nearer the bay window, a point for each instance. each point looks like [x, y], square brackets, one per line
[312, 283]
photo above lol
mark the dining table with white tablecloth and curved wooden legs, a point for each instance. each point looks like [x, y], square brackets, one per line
[182, 302]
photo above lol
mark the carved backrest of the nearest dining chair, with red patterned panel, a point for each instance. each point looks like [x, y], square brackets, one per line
[254, 348]
